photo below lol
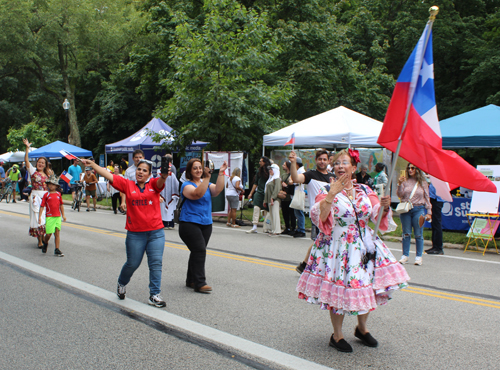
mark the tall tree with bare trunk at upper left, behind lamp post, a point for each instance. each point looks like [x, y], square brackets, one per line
[59, 41]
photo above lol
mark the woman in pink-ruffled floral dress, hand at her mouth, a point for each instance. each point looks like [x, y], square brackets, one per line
[348, 272]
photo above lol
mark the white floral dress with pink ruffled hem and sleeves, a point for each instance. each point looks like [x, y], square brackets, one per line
[337, 276]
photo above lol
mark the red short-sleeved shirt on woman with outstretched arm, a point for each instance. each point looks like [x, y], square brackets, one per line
[143, 205]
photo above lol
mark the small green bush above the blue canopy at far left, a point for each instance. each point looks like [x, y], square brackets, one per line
[36, 132]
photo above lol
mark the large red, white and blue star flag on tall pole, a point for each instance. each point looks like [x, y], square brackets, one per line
[422, 143]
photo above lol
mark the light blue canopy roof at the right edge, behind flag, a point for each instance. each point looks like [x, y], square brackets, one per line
[479, 128]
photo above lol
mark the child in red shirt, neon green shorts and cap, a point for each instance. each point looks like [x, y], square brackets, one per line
[53, 201]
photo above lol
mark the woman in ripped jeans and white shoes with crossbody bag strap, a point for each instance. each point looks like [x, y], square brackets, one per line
[412, 187]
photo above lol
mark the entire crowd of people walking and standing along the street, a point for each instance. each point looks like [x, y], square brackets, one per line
[347, 270]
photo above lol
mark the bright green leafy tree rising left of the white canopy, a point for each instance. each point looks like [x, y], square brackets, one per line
[220, 92]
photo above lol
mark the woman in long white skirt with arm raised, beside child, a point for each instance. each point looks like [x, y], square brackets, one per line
[39, 176]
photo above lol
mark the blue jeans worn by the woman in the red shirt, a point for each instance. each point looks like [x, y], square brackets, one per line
[151, 242]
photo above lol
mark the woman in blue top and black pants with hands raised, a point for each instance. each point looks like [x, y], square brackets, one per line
[195, 220]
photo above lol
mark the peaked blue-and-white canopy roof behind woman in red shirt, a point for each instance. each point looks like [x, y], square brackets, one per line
[141, 139]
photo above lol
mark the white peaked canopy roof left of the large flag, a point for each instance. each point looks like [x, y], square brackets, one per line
[337, 127]
